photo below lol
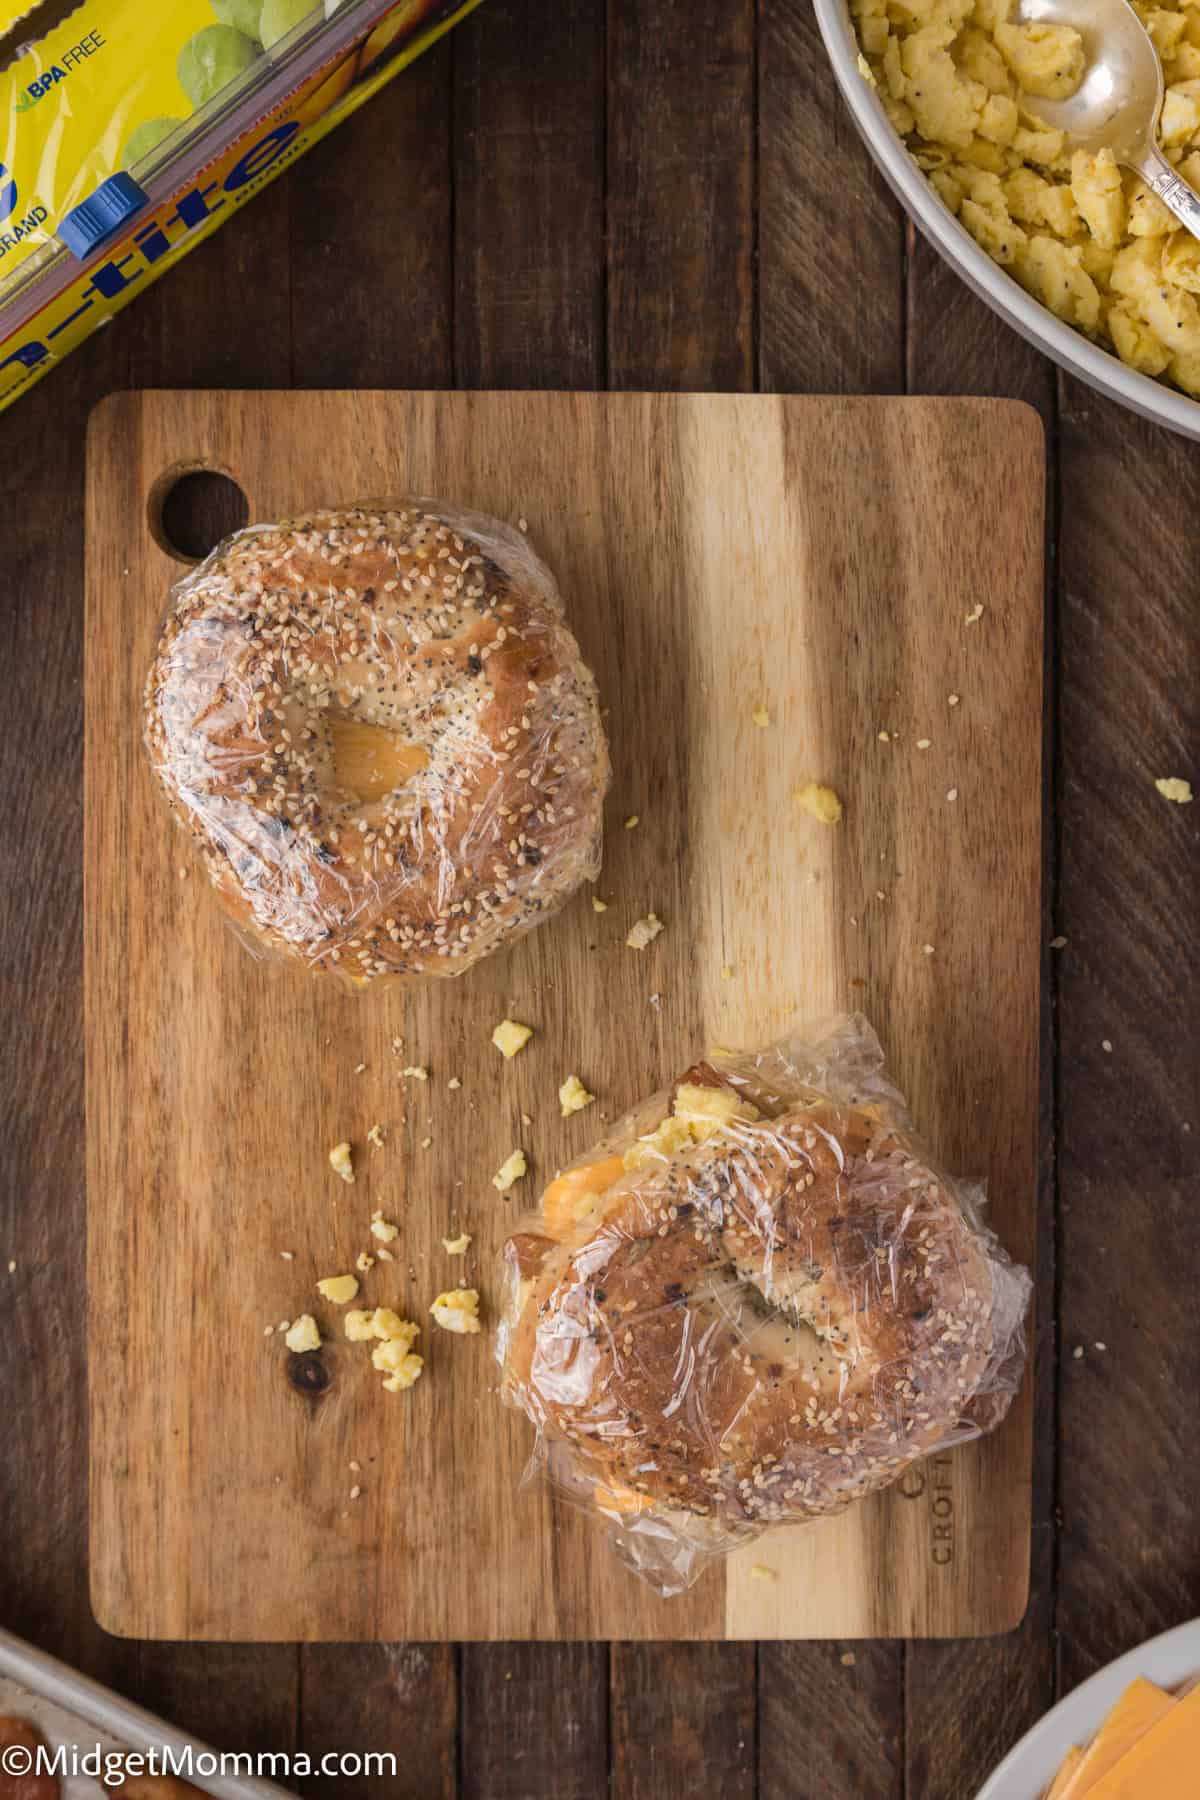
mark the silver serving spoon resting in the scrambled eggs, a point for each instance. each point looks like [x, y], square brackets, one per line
[1118, 103]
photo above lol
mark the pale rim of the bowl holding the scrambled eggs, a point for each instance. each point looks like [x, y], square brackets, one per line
[1079, 355]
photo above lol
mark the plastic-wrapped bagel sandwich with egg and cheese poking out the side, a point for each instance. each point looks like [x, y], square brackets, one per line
[755, 1302]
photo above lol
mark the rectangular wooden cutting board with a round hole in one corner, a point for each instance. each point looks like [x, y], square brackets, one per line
[823, 559]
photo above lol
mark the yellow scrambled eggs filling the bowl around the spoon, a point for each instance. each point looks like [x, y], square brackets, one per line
[960, 80]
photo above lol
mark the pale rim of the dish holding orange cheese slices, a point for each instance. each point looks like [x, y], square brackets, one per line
[1032, 1767]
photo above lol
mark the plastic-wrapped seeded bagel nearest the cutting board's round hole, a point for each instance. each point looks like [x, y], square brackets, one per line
[381, 737]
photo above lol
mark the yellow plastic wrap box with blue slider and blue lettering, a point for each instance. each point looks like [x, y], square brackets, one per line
[129, 132]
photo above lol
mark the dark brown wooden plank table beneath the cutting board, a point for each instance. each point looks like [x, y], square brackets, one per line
[598, 195]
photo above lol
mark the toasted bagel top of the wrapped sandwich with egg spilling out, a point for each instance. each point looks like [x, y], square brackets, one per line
[762, 1327]
